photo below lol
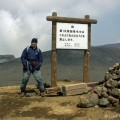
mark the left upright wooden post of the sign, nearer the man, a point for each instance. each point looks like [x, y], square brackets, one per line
[54, 54]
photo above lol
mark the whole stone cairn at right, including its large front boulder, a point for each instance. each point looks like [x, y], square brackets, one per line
[107, 93]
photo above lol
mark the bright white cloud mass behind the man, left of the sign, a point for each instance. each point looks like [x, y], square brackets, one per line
[16, 32]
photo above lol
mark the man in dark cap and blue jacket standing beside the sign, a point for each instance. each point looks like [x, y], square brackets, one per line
[32, 60]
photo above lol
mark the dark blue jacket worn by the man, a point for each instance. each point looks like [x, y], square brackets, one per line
[30, 55]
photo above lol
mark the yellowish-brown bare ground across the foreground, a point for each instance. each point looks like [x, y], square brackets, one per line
[51, 107]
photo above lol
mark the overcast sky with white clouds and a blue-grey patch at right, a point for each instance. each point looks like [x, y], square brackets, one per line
[21, 20]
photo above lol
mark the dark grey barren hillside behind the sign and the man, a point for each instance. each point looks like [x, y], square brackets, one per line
[70, 65]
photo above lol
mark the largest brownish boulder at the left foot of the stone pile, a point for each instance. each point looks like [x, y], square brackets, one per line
[88, 100]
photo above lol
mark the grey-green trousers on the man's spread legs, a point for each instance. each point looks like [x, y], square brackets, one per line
[26, 76]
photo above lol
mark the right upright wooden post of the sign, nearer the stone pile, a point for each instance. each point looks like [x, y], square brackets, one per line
[86, 66]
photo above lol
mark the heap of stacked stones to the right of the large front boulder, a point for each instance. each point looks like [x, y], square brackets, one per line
[110, 87]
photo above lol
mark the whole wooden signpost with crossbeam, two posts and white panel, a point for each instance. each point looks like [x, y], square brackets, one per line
[73, 43]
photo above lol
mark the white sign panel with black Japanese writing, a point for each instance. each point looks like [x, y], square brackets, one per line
[72, 36]
